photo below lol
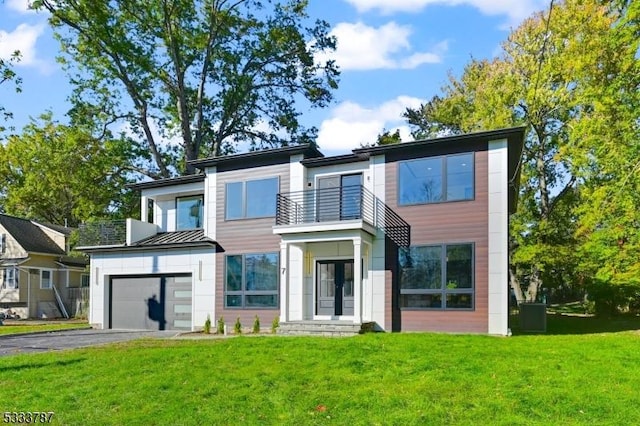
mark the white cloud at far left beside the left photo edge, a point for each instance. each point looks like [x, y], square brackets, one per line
[24, 39]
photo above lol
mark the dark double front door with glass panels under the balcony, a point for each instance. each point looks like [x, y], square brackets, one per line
[334, 289]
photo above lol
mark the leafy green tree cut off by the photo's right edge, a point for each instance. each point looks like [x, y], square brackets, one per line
[607, 141]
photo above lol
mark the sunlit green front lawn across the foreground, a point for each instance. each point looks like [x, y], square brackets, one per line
[370, 379]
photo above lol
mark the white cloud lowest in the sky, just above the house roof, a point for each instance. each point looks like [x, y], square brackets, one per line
[351, 124]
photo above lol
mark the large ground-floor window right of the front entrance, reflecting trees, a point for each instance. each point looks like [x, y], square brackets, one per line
[437, 277]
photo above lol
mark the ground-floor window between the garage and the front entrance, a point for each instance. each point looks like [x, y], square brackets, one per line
[251, 281]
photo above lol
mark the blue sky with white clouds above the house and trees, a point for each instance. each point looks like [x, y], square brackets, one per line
[393, 54]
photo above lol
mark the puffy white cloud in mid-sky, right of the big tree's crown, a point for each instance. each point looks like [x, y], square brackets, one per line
[361, 47]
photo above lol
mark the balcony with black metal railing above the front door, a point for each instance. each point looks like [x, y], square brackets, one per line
[339, 208]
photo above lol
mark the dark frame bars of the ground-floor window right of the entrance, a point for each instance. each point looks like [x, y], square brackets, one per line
[443, 291]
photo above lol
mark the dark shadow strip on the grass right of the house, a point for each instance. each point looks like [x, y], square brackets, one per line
[575, 324]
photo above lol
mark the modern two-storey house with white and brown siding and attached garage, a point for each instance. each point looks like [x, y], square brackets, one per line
[402, 237]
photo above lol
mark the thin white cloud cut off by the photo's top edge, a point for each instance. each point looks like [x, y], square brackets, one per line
[515, 10]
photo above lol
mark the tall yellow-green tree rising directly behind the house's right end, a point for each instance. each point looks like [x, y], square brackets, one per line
[544, 80]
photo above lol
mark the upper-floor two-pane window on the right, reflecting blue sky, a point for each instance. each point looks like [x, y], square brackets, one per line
[436, 179]
